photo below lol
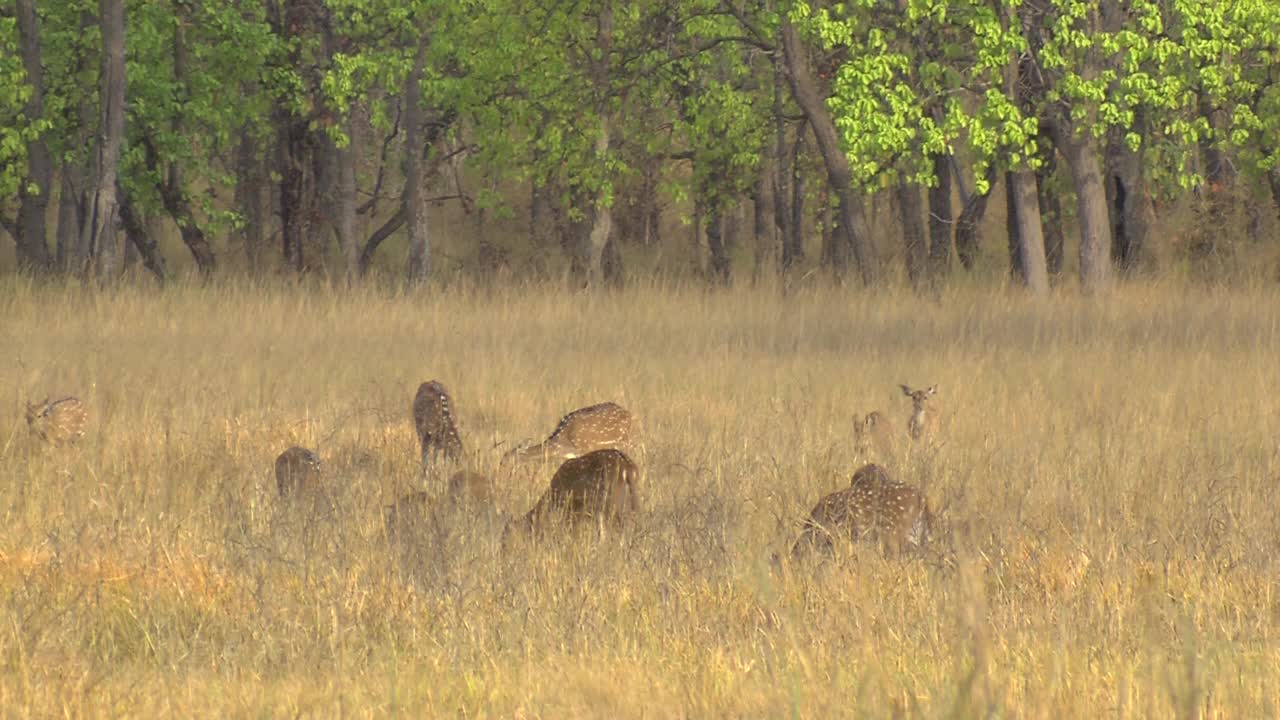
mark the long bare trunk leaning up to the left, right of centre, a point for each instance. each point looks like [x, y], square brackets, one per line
[853, 222]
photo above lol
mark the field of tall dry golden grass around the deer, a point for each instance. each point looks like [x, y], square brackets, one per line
[1105, 477]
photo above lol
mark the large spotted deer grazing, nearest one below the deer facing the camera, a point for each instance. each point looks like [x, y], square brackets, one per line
[872, 507]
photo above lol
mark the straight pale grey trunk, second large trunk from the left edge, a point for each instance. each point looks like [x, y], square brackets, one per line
[99, 231]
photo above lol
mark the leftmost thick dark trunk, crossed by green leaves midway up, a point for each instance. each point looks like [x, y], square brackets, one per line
[31, 239]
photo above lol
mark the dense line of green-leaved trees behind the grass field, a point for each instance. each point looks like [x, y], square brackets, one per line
[271, 130]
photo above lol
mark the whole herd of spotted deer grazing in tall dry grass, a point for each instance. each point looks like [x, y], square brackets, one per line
[597, 481]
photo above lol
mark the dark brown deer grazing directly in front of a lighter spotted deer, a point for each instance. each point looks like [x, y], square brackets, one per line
[600, 487]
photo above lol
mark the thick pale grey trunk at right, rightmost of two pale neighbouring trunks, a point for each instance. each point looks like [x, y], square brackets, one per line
[1091, 203]
